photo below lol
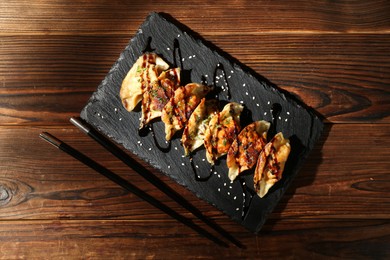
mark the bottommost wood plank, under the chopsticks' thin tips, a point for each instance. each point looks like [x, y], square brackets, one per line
[143, 240]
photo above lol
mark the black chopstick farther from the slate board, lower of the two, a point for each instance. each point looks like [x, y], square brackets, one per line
[128, 186]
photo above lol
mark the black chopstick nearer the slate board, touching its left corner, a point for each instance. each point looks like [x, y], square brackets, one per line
[147, 175]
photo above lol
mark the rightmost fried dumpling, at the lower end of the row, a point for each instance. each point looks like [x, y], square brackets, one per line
[270, 164]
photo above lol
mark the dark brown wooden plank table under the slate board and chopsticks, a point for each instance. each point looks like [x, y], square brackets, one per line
[333, 55]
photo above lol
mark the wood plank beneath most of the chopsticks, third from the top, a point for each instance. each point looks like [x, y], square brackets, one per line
[347, 170]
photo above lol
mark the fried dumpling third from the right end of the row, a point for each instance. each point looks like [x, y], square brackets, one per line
[222, 130]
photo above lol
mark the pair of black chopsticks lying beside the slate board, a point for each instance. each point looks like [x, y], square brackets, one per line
[116, 151]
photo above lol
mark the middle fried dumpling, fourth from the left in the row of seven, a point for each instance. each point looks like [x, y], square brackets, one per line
[193, 134]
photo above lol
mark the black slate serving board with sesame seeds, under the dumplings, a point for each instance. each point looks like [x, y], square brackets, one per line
[200, 61]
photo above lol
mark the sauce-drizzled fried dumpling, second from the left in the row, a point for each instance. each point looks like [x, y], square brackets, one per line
[157, 94]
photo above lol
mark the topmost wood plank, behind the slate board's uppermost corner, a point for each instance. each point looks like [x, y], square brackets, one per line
[118, 17]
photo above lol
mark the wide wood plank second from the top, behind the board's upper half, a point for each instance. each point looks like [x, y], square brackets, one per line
[45, 81]
